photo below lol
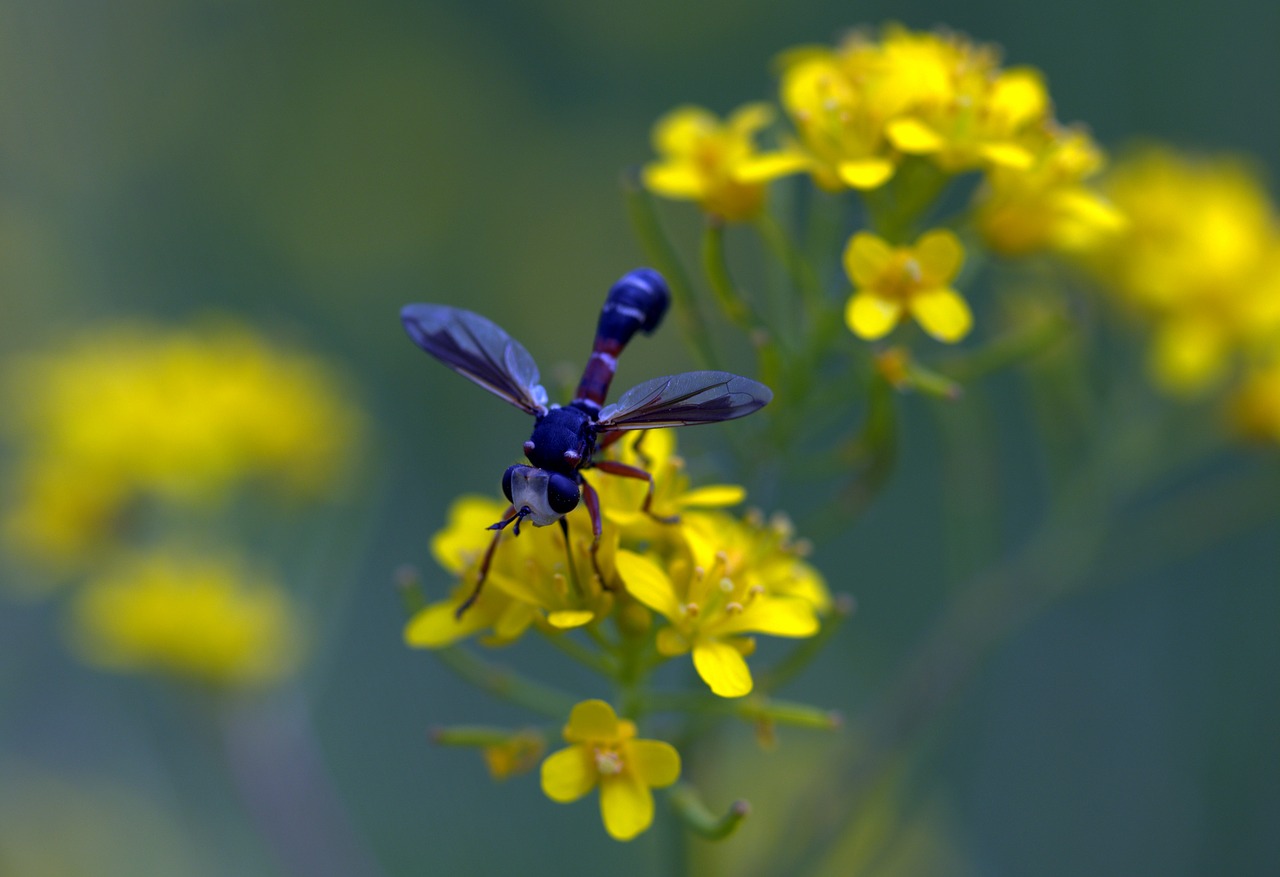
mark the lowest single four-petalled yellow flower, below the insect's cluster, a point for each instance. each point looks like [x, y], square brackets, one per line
[605, 753]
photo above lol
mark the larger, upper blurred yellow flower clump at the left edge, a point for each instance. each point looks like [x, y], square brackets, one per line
[177, 415]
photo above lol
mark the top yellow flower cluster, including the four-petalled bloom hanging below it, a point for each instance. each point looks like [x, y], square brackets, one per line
[894, 117]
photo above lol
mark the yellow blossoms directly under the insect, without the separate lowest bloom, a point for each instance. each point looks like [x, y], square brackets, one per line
[712, 578]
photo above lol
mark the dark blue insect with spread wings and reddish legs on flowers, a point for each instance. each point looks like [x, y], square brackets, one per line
[566, 438]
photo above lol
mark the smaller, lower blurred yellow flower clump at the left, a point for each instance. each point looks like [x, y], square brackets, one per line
[188, 614]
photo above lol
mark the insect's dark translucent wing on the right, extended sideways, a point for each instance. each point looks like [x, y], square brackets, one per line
[693, 398]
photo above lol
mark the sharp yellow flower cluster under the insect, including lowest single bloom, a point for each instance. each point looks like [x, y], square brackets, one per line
[685, 578]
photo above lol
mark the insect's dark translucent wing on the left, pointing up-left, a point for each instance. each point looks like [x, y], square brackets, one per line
[479, 350]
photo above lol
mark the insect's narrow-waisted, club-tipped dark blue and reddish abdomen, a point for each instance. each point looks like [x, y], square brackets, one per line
[636, 304]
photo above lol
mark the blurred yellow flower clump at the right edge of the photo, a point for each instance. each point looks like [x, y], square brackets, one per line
[1199, 259]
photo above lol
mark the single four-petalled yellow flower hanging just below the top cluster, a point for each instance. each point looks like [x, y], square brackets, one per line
[892, 282]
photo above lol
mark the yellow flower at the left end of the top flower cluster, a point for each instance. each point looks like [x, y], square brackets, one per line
[714, 163]
